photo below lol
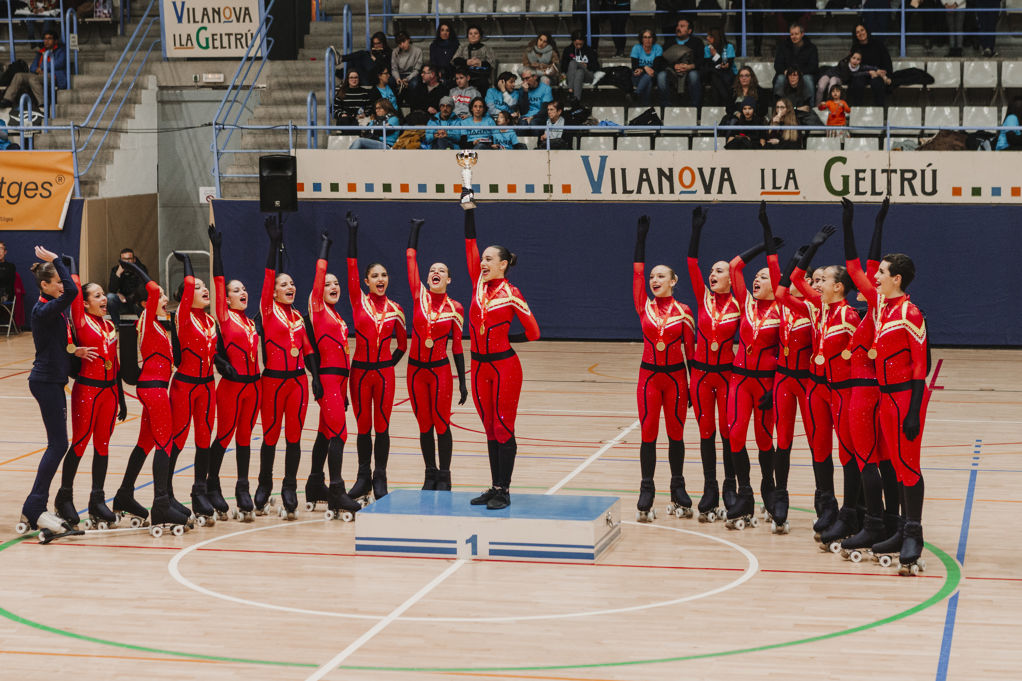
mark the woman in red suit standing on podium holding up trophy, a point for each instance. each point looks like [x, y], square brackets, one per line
[496, 369]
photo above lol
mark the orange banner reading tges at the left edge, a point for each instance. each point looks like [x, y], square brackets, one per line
[35, 190]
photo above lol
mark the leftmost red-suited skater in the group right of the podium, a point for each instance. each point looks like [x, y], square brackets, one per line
[669, 341]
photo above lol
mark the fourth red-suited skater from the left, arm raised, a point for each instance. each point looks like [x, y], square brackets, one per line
[239, 390]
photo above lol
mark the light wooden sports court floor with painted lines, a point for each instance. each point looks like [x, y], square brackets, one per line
[673, 600]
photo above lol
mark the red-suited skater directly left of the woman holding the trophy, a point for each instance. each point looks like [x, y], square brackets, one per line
[436, 319]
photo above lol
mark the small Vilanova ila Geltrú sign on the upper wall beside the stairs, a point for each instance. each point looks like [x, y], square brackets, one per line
[210, 29]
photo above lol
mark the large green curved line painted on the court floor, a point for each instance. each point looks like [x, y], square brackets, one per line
[951, 584]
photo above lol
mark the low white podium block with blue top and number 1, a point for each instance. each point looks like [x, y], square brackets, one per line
[535, 527]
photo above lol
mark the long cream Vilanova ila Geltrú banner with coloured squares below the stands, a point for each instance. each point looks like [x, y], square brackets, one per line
[916, 177]
